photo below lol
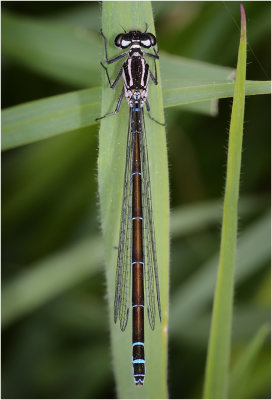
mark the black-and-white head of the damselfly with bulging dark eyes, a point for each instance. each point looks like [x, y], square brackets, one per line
[124, 40]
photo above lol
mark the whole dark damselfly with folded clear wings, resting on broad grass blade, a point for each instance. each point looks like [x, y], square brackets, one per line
[137, 260]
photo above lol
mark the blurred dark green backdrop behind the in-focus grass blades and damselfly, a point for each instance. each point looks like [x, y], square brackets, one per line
[58, 346]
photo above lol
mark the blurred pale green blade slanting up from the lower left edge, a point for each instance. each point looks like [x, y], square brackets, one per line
[50, 277]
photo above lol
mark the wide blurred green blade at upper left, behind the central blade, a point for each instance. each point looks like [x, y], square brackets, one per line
[62, 52]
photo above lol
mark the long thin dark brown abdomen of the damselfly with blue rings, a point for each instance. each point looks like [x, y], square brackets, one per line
[138, 357]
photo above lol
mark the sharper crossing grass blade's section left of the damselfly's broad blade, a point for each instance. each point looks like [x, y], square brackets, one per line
[42, 119]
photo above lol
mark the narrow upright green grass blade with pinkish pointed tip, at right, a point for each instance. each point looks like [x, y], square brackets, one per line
[216, 377]
